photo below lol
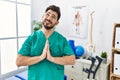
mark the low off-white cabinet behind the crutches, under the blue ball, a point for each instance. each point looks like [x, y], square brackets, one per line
[75, 72]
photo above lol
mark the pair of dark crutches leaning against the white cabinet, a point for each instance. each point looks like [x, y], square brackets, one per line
[90, 70]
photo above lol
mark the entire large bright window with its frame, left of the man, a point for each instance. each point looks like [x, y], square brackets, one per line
[15, 26]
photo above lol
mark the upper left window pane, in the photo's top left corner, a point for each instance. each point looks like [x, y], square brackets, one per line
[7, 19]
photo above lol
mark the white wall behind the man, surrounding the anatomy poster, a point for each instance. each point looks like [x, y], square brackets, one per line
[107, 12]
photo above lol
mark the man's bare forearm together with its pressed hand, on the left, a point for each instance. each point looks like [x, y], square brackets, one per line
[27, 60]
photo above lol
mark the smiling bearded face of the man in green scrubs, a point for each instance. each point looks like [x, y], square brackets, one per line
[49, 19]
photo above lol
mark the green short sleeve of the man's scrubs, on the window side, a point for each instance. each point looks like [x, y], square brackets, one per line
[26, 46]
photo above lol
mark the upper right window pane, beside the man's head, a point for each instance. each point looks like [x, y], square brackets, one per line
[23, 20]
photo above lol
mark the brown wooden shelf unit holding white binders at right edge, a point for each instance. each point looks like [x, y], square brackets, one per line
[115, 58]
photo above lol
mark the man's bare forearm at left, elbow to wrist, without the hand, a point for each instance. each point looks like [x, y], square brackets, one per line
[26, 60]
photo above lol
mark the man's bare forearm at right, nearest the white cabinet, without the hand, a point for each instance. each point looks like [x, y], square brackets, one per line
[65, 60]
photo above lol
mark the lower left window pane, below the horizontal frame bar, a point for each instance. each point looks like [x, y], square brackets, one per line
[8, 55]
